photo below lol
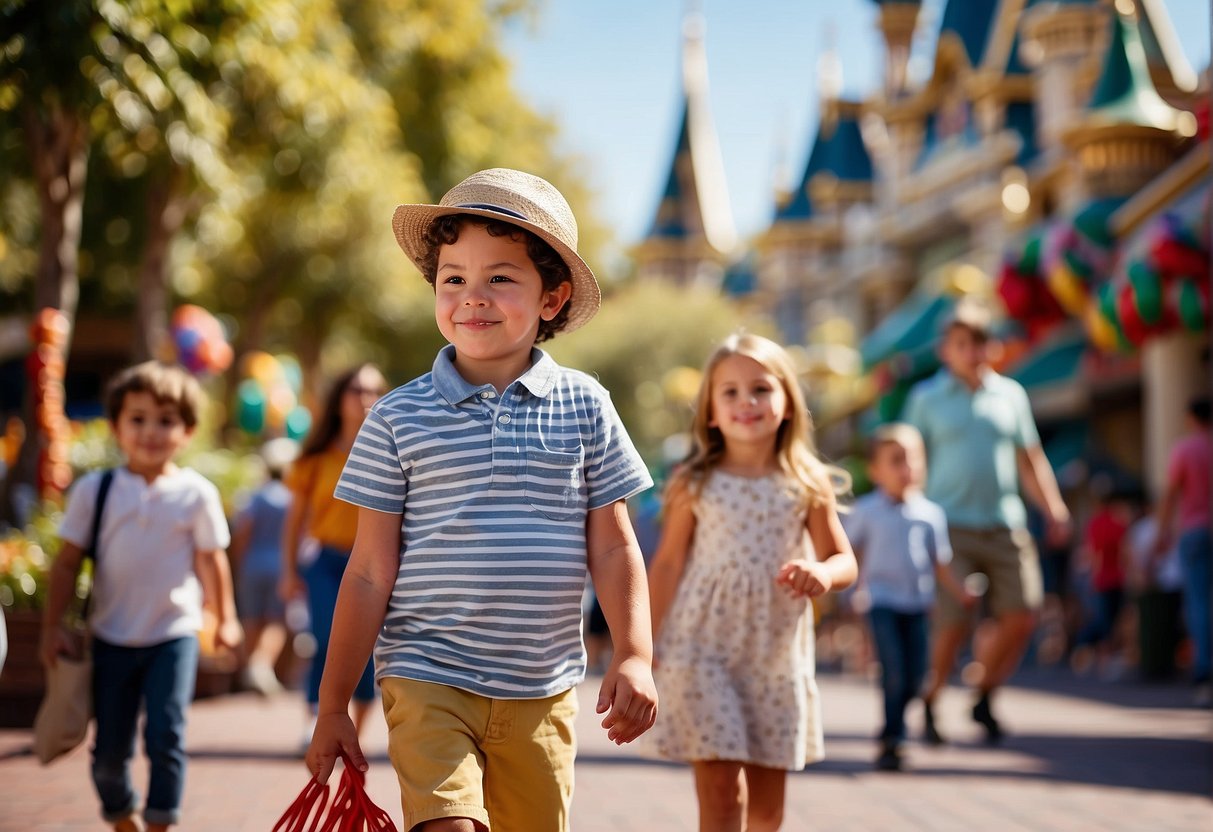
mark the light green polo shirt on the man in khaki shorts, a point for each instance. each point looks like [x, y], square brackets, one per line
[972, 438]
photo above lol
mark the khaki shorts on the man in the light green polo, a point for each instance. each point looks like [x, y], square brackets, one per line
[1009, 560]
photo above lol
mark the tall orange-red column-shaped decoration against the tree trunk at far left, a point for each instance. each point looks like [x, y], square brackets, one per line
[45, 367]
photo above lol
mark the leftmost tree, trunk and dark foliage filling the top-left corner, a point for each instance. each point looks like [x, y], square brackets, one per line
[70, 72]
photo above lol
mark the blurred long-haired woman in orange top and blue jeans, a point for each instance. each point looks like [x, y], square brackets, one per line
[331, 523]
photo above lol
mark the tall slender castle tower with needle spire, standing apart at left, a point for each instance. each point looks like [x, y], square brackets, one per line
[692, 238]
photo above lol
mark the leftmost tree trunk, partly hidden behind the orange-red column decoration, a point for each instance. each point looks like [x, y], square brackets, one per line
[59, 150]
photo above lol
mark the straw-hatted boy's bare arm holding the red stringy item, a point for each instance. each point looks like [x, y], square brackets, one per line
[357, 620]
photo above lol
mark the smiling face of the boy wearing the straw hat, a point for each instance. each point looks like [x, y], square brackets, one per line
[489, 299]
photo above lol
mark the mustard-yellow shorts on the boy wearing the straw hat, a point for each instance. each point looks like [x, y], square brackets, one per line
[506, 763]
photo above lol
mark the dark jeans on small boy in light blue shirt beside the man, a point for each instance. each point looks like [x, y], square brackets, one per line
[902, 647]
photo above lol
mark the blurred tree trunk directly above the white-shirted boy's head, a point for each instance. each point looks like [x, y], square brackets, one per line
[166, 213]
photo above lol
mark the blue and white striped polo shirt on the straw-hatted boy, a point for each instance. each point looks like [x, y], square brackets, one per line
[494, 492]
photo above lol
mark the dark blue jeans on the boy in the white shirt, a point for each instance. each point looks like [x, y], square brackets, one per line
[161, 679]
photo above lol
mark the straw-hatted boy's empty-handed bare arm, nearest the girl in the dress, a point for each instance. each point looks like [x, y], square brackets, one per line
[616, 563]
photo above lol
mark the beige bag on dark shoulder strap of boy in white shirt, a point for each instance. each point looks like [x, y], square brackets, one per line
[62, 720]
